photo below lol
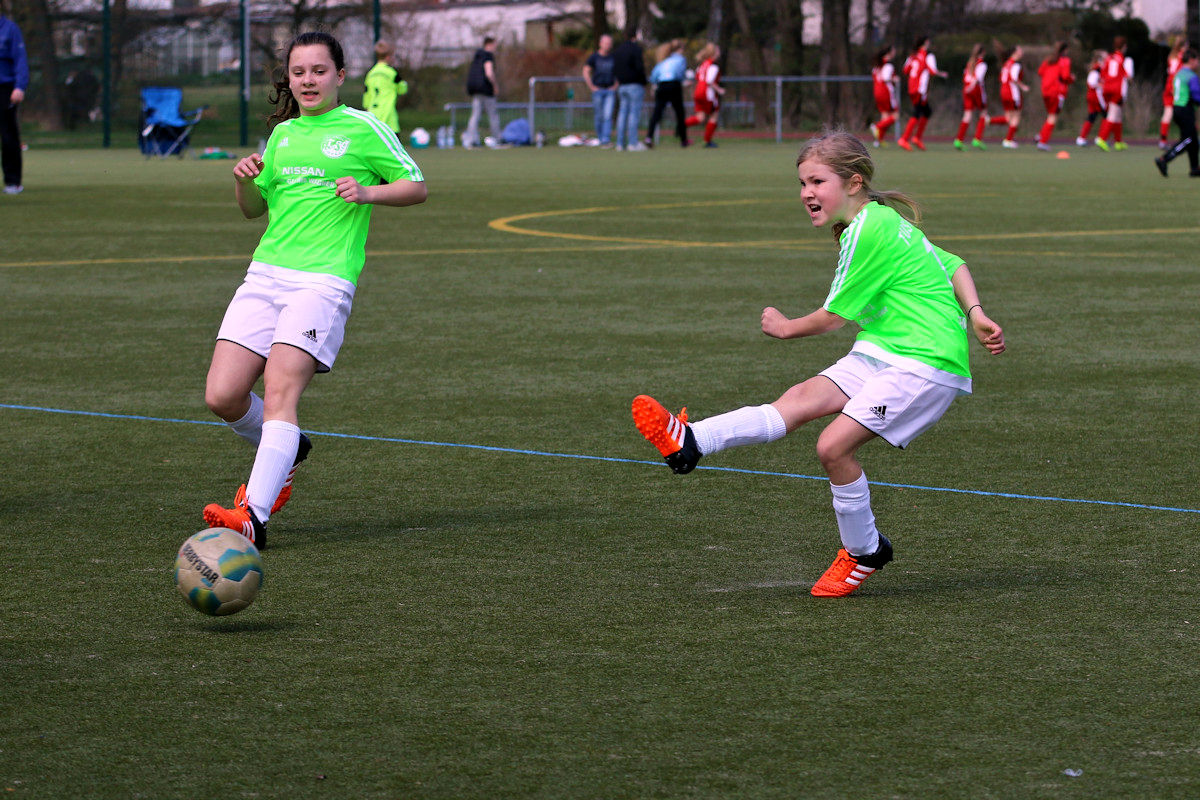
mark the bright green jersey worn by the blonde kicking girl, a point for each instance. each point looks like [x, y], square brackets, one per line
[897, 287]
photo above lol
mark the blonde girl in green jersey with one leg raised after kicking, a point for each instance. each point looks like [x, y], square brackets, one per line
[914, 304]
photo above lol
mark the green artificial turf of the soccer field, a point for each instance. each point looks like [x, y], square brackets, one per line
[488, 586]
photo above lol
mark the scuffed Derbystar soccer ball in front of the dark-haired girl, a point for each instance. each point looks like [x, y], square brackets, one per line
[219, 572]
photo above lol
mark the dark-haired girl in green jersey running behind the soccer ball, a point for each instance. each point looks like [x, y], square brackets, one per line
[325, 169]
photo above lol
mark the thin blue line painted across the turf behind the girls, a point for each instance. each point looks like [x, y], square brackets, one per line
[614, 460]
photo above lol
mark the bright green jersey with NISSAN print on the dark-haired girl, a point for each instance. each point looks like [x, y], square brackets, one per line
[310, 228]
